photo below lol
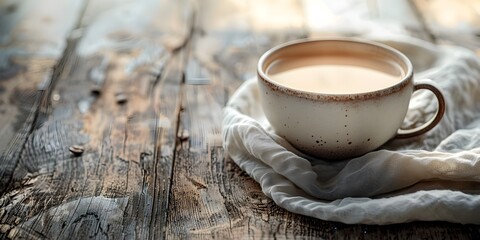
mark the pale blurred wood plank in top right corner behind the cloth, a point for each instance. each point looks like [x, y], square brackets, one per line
[452, 21]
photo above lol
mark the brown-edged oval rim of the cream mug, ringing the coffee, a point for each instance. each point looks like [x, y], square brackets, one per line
[406, 79]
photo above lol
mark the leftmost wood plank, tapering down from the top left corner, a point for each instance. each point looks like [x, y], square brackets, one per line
[32, 41]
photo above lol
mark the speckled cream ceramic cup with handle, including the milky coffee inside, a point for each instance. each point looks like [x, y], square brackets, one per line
[339, 98]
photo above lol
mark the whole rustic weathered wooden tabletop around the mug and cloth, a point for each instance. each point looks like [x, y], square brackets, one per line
[111, 116]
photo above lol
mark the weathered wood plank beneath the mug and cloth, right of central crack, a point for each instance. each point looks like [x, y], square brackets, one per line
[211, 196]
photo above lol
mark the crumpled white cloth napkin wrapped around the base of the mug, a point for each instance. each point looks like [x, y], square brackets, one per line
[432, 177]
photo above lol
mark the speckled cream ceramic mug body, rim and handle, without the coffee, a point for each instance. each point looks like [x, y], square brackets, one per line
[340, 126]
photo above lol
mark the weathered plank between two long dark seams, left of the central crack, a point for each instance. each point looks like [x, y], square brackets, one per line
[117, 96]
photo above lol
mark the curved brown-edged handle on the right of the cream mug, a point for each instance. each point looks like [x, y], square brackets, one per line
[428, 85]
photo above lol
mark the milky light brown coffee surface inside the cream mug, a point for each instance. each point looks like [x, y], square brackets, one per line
[334, 74]
